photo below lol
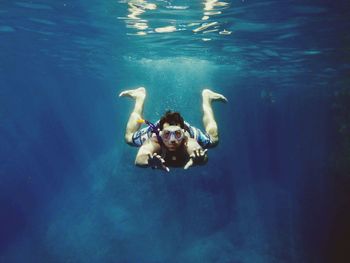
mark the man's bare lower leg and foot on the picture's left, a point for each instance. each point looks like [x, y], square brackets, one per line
[132, 126]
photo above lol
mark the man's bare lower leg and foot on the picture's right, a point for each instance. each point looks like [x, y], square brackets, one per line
[209, 122]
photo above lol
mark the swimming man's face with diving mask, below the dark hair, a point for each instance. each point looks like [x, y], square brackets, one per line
[172, 136]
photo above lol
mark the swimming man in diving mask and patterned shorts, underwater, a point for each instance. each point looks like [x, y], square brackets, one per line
[172, 141]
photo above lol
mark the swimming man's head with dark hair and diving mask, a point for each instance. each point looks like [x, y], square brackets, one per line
[172, 130]
